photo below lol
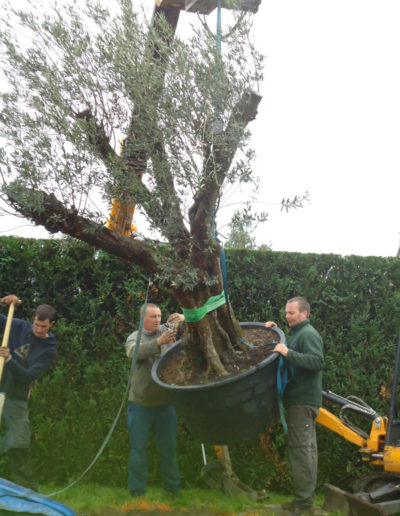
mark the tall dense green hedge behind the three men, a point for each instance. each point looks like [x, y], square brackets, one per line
[355, 305]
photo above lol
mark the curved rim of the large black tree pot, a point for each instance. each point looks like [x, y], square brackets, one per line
[272, 357]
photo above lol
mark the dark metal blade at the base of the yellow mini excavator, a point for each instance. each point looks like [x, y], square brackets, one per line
[361, 504]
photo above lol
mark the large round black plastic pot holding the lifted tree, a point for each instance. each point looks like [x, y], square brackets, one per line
[229, 410]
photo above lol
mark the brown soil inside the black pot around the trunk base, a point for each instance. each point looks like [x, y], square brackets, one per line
[179, 371]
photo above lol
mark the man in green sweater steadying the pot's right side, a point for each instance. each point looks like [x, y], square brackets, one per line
[302, 398]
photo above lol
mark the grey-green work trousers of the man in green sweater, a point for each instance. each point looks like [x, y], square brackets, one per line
[303, 452]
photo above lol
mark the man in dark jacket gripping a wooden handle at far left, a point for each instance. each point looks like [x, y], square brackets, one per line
[30, 351]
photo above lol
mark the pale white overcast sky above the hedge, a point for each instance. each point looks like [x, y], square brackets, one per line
[328, 123]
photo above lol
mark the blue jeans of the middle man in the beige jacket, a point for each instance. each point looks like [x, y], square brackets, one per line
[141, 420]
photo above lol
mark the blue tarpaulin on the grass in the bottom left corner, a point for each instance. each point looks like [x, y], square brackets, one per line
[17, 499]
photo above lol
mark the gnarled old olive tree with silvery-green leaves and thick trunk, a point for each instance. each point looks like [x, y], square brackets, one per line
[114, 105]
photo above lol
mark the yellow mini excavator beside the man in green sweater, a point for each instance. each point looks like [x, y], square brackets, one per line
[377, 493]
